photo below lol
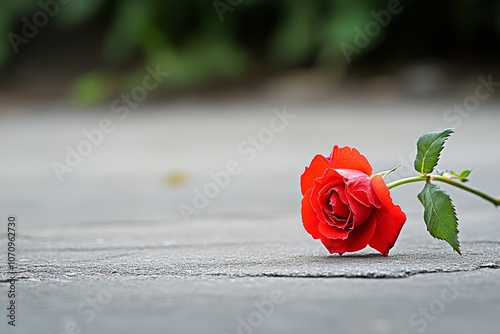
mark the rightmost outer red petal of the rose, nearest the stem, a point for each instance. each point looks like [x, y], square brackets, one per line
[389, 218]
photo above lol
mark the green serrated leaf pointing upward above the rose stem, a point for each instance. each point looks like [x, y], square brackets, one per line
[429, 147]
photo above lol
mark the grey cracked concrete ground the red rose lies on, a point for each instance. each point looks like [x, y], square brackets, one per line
[107, 250]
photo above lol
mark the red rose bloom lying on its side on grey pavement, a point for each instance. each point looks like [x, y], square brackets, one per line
[346, 206]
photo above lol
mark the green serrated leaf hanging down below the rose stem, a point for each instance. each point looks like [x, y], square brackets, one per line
[439, 215]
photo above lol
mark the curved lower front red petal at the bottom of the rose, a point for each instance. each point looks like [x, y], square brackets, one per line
[357, 240]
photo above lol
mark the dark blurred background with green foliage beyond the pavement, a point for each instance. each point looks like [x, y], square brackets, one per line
[89, 51]
